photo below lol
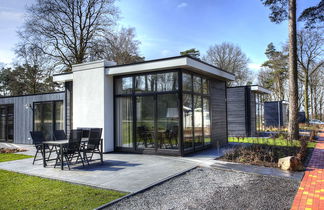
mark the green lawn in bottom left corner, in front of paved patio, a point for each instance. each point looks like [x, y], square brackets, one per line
[19, 191]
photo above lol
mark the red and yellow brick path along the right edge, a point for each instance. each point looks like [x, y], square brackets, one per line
[310, 194]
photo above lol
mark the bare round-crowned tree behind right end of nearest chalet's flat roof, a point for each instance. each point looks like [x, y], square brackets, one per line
[231, 58]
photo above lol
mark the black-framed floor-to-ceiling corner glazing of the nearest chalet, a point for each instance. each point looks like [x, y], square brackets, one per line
[155, 100]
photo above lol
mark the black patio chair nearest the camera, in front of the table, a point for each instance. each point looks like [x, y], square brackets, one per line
[72, 149]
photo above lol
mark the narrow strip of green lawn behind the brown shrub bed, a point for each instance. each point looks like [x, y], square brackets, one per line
[270, 141]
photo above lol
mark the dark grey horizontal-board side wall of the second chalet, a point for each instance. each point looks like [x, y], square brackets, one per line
[236, 112]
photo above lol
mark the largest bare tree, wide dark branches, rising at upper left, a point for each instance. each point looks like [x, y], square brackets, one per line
[67, 28]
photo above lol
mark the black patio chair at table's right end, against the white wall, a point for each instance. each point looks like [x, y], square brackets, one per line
[94, 145]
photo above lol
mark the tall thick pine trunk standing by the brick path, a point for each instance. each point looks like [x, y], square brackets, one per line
[293, 128]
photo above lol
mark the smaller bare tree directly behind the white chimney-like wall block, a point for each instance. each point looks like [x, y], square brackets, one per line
[120, 46]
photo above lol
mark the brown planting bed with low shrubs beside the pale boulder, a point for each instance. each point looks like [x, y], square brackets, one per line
[262, 155]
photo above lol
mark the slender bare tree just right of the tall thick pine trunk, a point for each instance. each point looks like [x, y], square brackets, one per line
[310, 60]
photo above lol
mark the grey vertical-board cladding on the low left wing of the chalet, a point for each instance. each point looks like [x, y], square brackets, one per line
[23, 118]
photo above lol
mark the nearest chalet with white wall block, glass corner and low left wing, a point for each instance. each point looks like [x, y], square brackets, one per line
[169, 106]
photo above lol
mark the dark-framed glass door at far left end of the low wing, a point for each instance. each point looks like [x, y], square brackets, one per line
[7, 123]
